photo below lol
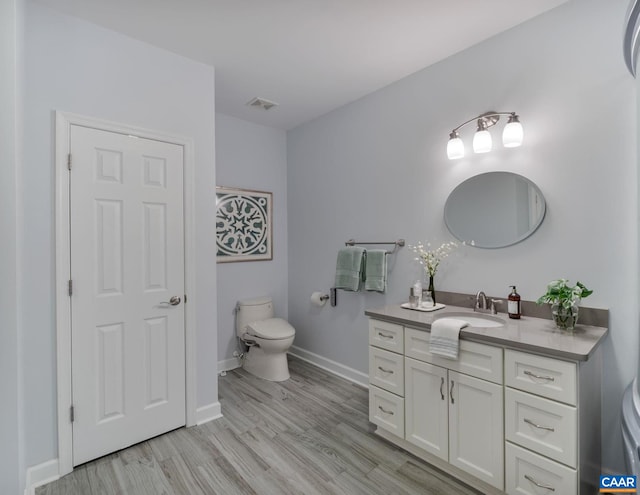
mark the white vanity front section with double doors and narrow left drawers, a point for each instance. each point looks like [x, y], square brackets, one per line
[452, 409]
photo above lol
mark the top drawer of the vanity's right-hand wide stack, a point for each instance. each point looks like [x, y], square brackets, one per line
[543, 376]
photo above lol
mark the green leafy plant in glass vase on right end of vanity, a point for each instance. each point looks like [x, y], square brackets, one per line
[565, 300]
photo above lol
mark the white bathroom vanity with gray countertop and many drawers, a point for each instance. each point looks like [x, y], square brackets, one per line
[517, 412]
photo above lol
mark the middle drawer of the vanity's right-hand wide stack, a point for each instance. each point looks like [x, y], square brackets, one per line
[542, 425]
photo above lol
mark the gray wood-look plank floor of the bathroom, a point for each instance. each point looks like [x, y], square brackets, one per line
[307, 435]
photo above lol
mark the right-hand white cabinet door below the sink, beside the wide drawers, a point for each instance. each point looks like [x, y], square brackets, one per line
[476, 436]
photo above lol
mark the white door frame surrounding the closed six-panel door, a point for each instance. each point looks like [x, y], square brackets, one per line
[64, 121]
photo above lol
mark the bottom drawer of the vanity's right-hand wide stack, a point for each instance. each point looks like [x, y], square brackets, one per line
[528, 474]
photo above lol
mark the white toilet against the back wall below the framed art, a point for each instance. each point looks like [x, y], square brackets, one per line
[268, 339]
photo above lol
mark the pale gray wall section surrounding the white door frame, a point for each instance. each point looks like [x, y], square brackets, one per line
[75, 66]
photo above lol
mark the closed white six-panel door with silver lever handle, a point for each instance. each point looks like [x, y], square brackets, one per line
[127, 262]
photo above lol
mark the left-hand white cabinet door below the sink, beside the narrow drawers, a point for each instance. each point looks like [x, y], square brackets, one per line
[426, 411]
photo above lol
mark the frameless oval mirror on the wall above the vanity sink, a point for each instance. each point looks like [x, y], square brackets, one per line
[494, 210]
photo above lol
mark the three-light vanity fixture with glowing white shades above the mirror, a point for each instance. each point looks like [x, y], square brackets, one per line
[512, 134]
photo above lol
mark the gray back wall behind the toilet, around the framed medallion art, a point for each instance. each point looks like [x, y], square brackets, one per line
[251, 156]
